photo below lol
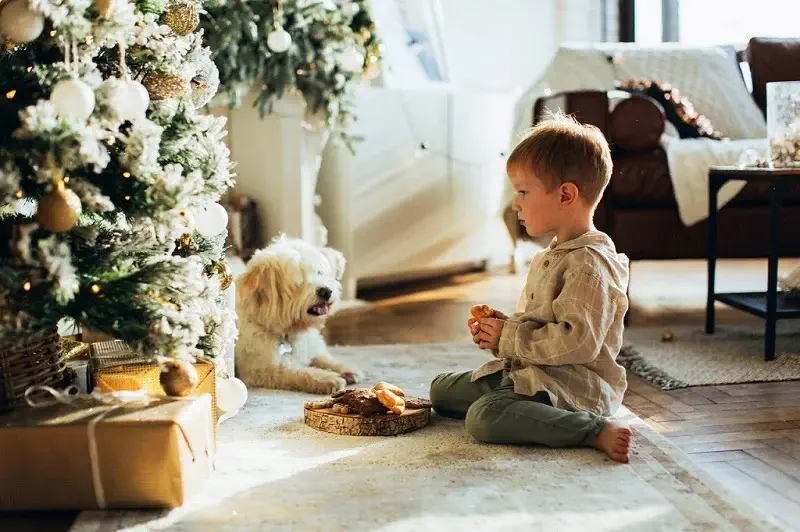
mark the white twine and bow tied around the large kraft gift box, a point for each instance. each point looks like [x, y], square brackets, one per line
[116, 400]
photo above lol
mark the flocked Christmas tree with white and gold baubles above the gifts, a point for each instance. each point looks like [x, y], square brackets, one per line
[110, 175]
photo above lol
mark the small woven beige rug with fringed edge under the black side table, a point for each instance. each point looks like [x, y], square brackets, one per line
[733, 354]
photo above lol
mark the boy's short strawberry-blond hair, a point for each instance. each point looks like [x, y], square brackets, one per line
[562, 150]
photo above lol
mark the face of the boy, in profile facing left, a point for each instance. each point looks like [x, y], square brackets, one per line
[538, 209]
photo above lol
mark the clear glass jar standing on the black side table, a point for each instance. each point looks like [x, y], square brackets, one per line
[783, 124]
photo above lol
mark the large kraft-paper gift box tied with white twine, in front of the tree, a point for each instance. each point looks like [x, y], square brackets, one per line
[105, 451]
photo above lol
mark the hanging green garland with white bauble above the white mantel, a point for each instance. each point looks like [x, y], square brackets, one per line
[318, 48]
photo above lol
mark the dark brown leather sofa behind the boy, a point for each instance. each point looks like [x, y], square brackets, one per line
[639, 211]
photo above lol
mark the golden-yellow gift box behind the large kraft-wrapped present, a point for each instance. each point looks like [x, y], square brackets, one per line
[115, 367]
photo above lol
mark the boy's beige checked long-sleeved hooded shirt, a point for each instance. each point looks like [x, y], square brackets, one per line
[567, 332]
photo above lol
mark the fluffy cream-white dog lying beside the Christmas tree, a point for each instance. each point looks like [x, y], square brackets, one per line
[283, 299]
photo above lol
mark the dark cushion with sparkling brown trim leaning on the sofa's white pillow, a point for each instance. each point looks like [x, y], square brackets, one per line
[678, 110]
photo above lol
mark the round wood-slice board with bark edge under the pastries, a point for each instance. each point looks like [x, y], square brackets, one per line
[327, 420]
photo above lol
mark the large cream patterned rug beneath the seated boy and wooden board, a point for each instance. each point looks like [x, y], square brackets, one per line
[275, 473]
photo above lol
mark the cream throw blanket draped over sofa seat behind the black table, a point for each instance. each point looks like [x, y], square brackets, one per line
[689, 161]
